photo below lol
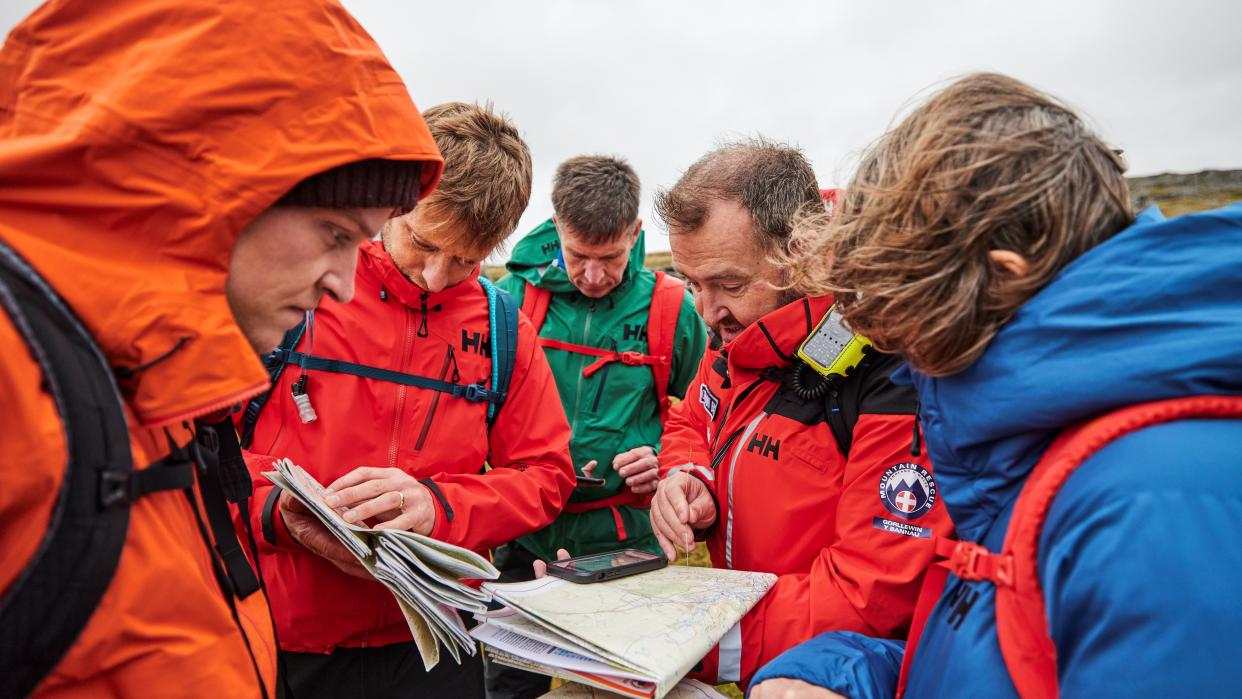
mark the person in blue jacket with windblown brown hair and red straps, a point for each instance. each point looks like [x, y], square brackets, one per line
[990, 240]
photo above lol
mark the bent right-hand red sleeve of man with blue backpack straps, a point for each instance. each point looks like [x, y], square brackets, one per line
[532, 475]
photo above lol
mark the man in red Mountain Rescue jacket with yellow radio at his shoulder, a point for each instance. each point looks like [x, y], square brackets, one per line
[818, 480]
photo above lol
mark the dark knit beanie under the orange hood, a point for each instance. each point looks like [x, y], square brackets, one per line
[366, 184]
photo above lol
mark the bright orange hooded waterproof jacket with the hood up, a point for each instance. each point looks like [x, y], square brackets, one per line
[137, 140]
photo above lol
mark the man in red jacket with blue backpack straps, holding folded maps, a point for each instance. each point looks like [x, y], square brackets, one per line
[402, 456]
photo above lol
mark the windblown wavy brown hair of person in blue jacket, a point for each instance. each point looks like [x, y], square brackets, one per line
[987, 165]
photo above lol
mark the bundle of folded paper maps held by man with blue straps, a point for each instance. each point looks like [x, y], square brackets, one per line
[423, 574]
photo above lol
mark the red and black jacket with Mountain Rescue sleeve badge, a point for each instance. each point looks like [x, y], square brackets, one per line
[848, 537]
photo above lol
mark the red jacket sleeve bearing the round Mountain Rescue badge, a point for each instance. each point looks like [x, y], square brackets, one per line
[868, 579]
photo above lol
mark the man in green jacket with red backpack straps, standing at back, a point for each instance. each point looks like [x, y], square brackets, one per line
[609, 328]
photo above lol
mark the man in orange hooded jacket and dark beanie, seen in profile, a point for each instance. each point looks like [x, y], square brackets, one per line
[142, 150]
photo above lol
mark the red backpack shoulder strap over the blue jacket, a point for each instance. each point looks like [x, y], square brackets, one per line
[1022, 613]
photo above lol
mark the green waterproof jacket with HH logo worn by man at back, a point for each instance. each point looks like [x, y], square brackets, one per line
[614, 410]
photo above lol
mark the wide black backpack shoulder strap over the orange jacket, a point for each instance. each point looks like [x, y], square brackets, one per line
[48, 605]
